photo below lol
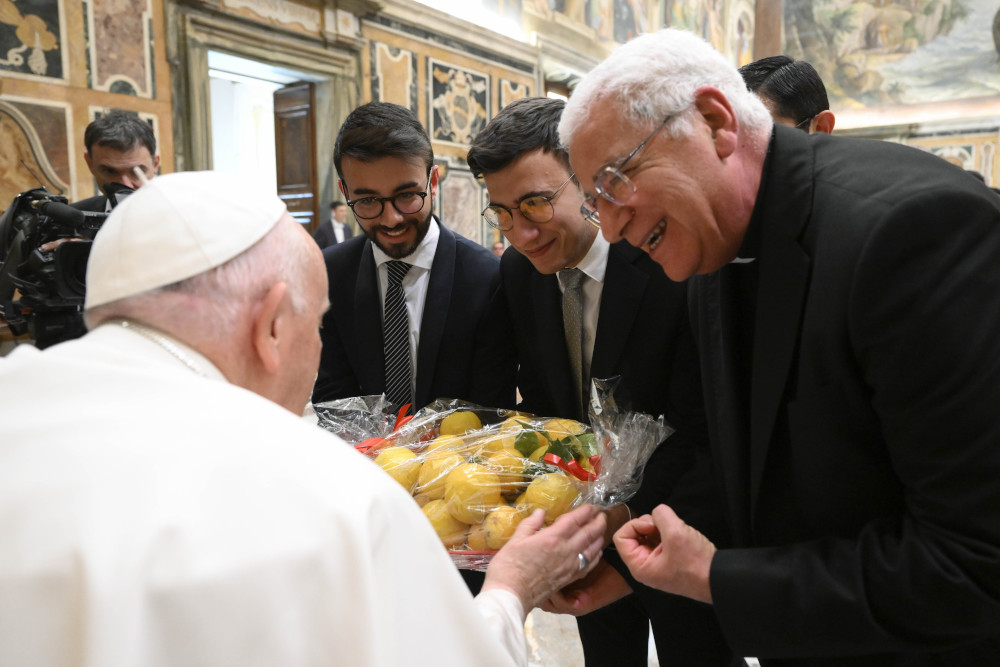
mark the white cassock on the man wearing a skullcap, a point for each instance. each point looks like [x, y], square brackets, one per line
[153, 516]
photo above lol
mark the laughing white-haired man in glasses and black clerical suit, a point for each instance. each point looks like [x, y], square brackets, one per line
[846, 299]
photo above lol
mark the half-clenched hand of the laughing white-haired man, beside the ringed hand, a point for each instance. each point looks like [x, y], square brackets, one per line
[663, 552]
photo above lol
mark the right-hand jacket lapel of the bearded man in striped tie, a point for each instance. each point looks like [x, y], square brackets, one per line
[432, 321]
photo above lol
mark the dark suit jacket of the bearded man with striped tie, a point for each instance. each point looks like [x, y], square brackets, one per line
[462, 351]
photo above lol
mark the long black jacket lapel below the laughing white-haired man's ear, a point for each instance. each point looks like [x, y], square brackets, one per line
[784, 279]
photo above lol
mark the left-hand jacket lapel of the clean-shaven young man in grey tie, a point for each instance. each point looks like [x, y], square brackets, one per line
[551, 346]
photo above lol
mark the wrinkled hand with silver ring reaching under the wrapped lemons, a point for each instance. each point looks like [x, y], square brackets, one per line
[538, 561]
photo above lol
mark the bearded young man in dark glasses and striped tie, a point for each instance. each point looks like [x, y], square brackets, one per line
[411, 302]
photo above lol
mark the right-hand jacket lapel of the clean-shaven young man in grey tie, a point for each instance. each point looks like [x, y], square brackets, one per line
[621, 297]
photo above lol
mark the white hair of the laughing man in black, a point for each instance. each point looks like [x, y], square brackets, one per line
[657, 74]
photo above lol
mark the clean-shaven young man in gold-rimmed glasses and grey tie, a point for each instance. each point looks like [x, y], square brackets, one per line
[580, 309]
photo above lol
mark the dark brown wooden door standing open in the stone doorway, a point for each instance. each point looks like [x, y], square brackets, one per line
[295, 145]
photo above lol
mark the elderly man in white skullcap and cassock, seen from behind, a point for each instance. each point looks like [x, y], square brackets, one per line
[163, 503]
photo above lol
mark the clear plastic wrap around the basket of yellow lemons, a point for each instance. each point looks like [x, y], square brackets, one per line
[476, 472]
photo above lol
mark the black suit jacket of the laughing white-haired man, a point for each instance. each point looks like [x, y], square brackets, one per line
[864, 480]
